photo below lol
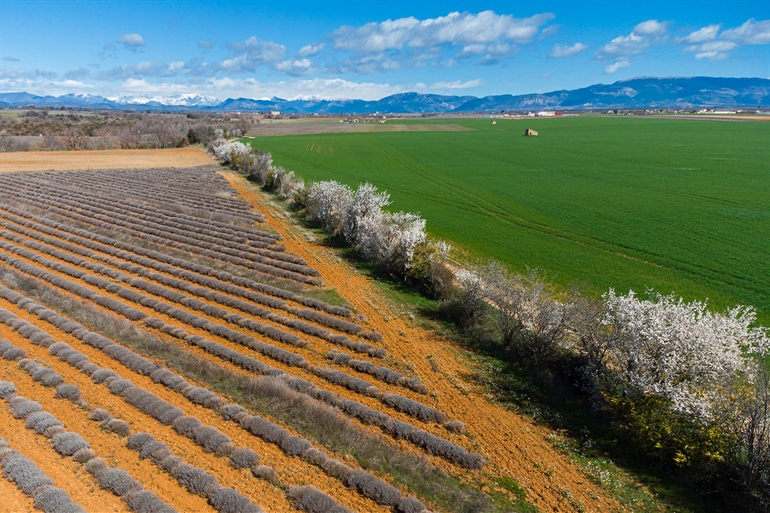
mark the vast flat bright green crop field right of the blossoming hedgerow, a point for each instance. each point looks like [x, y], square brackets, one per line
[679, 206]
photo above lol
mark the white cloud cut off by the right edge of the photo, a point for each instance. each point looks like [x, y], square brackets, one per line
[707, 43]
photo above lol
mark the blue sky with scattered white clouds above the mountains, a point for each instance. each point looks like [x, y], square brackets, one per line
[344, 49]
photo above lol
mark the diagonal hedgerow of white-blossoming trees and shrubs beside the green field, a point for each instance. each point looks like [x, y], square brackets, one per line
[689, 386]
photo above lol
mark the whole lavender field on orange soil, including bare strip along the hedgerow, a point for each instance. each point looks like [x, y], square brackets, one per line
[162, 350]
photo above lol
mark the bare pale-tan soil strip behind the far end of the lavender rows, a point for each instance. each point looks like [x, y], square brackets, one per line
[102, 159]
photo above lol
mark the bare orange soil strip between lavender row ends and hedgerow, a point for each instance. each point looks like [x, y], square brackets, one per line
[514, 445]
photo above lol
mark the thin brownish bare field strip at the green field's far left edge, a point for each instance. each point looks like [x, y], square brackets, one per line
[267, 129]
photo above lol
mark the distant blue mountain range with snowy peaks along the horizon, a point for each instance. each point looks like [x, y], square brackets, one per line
[635, 93]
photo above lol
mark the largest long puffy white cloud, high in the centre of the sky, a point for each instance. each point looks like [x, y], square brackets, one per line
[455, 29]
